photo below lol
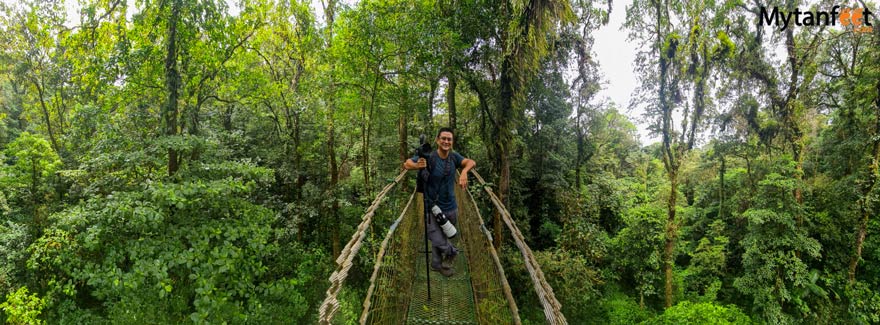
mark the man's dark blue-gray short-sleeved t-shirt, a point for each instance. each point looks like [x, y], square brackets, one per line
[440, 187]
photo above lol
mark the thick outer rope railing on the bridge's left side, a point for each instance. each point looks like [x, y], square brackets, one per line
[330, 305]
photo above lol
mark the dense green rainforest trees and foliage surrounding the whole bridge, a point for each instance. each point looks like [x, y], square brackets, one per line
[94, 230]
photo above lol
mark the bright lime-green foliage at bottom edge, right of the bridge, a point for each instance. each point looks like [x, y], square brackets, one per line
[700, 313]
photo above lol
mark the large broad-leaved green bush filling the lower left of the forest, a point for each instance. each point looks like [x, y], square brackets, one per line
[198, 249]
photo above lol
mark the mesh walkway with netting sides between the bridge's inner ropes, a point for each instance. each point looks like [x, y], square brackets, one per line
[476, 294]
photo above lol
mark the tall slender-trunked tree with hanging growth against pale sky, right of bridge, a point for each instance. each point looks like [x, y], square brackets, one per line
[682, 60]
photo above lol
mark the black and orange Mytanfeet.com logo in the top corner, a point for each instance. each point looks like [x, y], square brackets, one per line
[859, 19]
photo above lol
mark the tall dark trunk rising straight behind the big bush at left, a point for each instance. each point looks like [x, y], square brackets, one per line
[172, 84]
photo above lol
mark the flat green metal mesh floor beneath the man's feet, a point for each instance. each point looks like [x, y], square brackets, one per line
[452, 298]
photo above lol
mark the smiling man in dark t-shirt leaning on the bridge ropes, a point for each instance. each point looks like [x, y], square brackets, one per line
[439, 190]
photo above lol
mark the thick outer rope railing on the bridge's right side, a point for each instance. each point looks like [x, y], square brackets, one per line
[552, 307]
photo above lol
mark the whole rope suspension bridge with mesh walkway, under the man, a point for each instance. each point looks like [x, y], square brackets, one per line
[399, 289]
